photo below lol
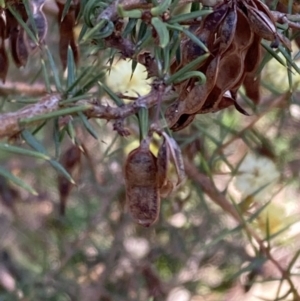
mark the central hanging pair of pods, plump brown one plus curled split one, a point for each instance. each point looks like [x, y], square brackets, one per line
[146, 177]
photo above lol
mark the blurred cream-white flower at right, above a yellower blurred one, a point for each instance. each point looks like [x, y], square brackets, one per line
[256, 176]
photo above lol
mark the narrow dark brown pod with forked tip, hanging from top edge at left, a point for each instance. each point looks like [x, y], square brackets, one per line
[66, 32]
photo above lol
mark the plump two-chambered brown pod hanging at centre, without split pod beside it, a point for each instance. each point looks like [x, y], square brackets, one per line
[142, 191]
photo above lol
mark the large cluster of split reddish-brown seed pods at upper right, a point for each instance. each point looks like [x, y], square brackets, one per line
[232, 33]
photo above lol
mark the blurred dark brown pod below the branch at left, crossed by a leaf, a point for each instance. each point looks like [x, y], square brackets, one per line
[71, 162]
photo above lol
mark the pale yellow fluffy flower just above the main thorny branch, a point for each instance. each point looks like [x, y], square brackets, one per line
[121, 80]
